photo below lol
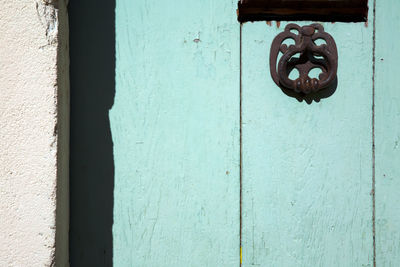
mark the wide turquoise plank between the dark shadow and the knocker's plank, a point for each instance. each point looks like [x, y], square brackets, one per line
[175, 128]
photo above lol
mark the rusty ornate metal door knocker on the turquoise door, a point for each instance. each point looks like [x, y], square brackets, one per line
[311, 56]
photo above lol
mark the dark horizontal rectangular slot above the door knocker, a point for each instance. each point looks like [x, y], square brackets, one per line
[314, 10]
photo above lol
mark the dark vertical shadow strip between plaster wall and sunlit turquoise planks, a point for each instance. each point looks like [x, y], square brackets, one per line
[92, 71]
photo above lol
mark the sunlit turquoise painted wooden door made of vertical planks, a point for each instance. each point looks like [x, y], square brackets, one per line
[216, 166]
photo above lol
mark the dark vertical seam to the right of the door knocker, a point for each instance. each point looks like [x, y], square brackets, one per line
[373, 132]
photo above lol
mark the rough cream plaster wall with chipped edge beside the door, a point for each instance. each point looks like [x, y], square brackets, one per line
[31, 138]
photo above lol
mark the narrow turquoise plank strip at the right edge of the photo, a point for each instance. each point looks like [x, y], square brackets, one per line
[387, 133]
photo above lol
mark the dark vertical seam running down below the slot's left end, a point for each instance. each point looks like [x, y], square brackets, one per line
[241, 146]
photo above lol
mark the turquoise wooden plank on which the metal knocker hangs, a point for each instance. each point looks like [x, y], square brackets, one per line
[307, 168]
